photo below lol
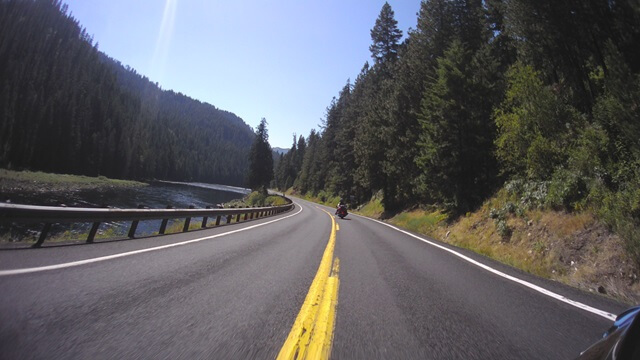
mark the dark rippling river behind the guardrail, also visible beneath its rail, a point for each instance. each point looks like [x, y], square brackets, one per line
[156, 195]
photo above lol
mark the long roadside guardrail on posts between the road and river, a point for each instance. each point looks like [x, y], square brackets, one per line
[16, 213]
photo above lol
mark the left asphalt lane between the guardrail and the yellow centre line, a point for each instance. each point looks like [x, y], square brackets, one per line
[233, 296]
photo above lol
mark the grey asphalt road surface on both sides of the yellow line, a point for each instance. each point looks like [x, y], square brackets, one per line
[236, 296]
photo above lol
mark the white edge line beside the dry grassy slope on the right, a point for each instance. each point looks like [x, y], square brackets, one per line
[537, 288]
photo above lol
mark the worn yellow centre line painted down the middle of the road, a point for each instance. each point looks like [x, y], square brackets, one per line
[312, 333]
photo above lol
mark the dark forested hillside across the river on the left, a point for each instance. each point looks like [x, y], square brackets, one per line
[66, 107]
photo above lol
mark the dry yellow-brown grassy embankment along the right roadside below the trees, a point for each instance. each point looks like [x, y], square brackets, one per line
[572, 248]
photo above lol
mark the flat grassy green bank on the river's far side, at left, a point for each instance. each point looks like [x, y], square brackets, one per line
[39, 182]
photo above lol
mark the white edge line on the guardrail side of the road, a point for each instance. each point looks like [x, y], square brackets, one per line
[115, 256]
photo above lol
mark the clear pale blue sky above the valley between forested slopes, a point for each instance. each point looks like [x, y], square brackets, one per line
[281, 60]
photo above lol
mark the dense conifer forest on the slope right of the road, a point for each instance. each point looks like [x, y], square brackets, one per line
[542, 96]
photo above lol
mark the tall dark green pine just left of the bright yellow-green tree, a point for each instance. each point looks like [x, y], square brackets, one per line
[456, 155]
